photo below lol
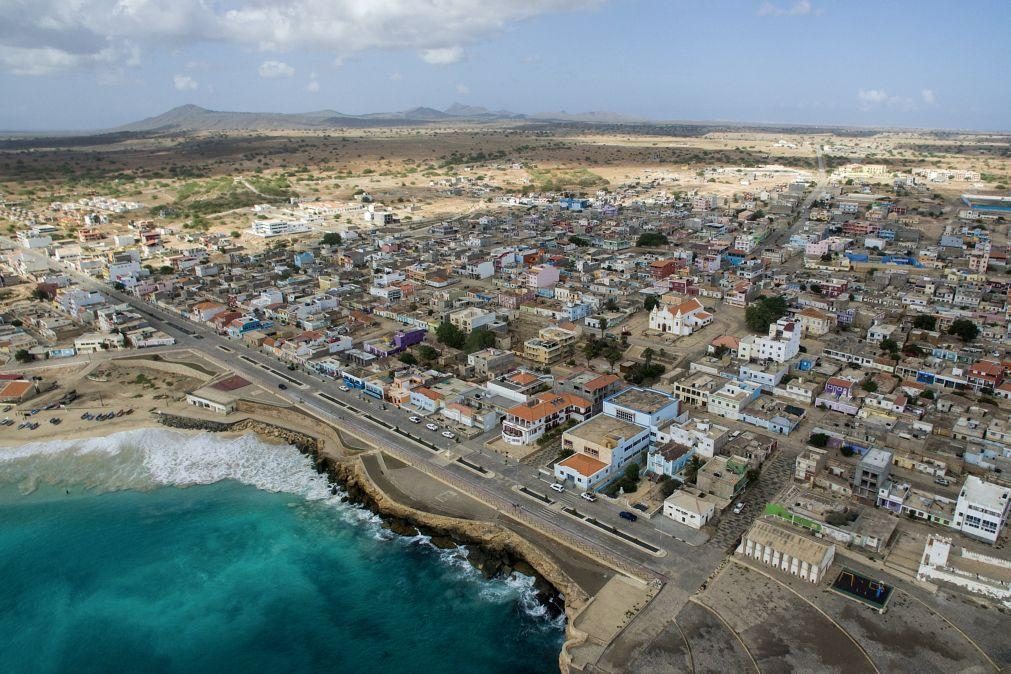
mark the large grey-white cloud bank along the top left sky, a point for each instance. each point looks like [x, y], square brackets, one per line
[41, 37]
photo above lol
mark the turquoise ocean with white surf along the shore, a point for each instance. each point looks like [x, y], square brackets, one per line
[203, 553]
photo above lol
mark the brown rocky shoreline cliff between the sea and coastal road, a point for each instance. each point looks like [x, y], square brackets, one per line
[492, 549]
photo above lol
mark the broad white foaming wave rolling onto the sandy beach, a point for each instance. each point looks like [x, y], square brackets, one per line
[147, 458]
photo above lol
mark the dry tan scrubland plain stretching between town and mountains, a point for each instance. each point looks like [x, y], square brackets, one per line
[209, 180]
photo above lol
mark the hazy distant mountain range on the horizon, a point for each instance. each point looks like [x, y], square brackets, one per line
[197, 119]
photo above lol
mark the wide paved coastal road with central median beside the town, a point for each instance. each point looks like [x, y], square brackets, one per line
[346, 410]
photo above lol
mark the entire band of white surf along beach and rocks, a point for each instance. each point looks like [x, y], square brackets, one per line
[145, 459]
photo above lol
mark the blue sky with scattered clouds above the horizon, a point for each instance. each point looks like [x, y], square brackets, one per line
[97, 64]
